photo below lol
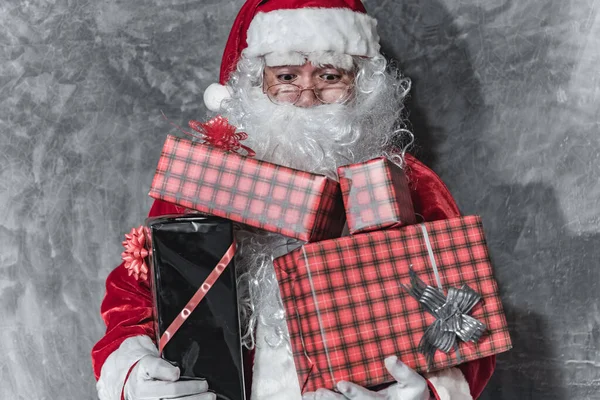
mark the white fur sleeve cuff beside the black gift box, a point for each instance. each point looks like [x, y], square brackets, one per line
[117, 365]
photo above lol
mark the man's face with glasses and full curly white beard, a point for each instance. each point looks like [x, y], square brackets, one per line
[312, 117]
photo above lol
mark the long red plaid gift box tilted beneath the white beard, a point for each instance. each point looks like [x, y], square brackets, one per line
[264, 195]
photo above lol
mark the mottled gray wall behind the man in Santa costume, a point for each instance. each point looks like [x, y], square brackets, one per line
[505, 109]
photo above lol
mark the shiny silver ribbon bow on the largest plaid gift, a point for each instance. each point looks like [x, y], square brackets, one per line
[450, 313]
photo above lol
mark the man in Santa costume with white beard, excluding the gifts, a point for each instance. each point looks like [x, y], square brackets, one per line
[306, 80]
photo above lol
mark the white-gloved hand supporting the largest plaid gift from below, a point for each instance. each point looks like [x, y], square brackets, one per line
[410, 386]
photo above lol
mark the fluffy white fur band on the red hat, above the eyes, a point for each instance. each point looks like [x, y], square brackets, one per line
[308, 30]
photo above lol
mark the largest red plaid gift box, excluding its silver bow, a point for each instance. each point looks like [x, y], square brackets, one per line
[346, 309]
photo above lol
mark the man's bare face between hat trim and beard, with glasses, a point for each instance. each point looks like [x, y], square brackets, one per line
[307, 85]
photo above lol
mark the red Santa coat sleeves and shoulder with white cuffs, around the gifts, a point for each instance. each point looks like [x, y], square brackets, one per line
[128, 313]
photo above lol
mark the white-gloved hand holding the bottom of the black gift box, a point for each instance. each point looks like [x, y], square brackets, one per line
[154, 378]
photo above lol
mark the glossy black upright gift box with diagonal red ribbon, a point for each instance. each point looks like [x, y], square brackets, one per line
[185, 250]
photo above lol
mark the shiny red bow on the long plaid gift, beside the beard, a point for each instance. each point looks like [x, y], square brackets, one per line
[218, 132]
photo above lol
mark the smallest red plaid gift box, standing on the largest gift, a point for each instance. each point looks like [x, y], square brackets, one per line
[376, 196]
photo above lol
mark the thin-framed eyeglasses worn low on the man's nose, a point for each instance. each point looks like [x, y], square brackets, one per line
[288, 93]
